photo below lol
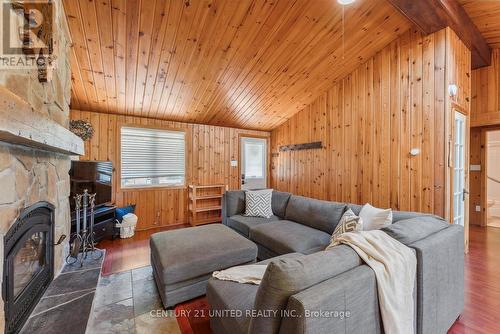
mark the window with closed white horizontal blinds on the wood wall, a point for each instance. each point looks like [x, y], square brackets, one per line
[151, 157]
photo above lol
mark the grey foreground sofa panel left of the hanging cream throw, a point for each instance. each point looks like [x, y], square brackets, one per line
[347, 303]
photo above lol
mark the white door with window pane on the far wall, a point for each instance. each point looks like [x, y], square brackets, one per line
[253, 163]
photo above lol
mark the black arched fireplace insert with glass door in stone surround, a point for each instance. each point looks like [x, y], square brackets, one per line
[28, 263]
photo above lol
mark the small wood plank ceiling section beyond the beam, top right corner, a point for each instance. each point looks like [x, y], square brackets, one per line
[486, 16]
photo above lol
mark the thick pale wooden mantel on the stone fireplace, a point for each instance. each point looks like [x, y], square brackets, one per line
[22, 125]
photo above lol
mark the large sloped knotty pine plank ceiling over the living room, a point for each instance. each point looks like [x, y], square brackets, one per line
[245, 63]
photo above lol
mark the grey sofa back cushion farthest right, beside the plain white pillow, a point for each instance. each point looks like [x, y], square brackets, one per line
[410, 230]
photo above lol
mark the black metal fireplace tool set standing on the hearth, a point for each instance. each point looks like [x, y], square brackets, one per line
[83, 239]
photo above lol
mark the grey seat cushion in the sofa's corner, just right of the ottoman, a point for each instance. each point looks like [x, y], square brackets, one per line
[285, 236]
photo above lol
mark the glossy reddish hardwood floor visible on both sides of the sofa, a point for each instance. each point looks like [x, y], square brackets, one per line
[482, 274]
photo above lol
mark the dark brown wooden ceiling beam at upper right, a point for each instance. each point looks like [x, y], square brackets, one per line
[433, 15]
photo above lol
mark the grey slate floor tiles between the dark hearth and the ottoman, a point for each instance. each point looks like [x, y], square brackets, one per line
[128, 302]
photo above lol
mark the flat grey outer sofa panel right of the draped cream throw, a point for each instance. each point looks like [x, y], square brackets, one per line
[440, 279]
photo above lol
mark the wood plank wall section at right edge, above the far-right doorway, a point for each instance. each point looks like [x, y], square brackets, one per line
[485, 107]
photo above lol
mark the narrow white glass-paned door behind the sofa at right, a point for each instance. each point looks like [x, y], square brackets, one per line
[459, 172]
